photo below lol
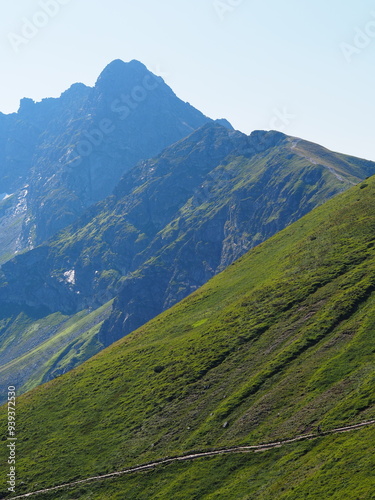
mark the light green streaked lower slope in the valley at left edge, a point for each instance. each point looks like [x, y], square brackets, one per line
[38, 349]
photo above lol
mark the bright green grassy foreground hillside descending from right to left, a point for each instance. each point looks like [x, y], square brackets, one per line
[278, 344]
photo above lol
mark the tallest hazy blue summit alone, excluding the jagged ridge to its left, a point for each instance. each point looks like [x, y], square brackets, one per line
[129, 115]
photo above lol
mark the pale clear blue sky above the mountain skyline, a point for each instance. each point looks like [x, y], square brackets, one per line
[262, 64]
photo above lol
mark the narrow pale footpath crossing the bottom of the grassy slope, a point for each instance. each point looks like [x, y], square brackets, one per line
[195, 456]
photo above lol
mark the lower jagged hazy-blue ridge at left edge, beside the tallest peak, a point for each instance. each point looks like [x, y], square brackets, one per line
[24, 137]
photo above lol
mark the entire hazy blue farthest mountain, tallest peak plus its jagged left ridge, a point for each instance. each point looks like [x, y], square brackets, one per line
[72, 151]
